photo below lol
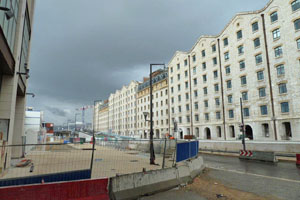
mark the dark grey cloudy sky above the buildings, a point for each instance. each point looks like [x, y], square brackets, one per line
[83, 50]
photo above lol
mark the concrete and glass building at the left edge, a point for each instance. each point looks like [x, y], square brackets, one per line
[15, 37]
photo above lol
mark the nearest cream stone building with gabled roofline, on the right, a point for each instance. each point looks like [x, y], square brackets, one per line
[257, 58]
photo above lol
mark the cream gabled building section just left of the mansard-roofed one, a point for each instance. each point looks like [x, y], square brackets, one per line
[122, 110]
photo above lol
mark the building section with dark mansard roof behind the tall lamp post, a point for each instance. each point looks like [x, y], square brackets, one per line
[160, 105]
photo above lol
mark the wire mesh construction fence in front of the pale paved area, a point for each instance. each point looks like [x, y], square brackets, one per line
[110, 158]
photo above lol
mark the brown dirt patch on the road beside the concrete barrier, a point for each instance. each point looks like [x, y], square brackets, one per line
[209, 188]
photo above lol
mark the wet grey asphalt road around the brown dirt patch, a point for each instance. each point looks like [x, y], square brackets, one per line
[267, 180]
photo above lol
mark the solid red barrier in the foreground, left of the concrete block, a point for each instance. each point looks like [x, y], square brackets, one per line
[76, 190]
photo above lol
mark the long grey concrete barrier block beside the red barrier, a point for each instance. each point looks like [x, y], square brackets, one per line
[132, 186]
